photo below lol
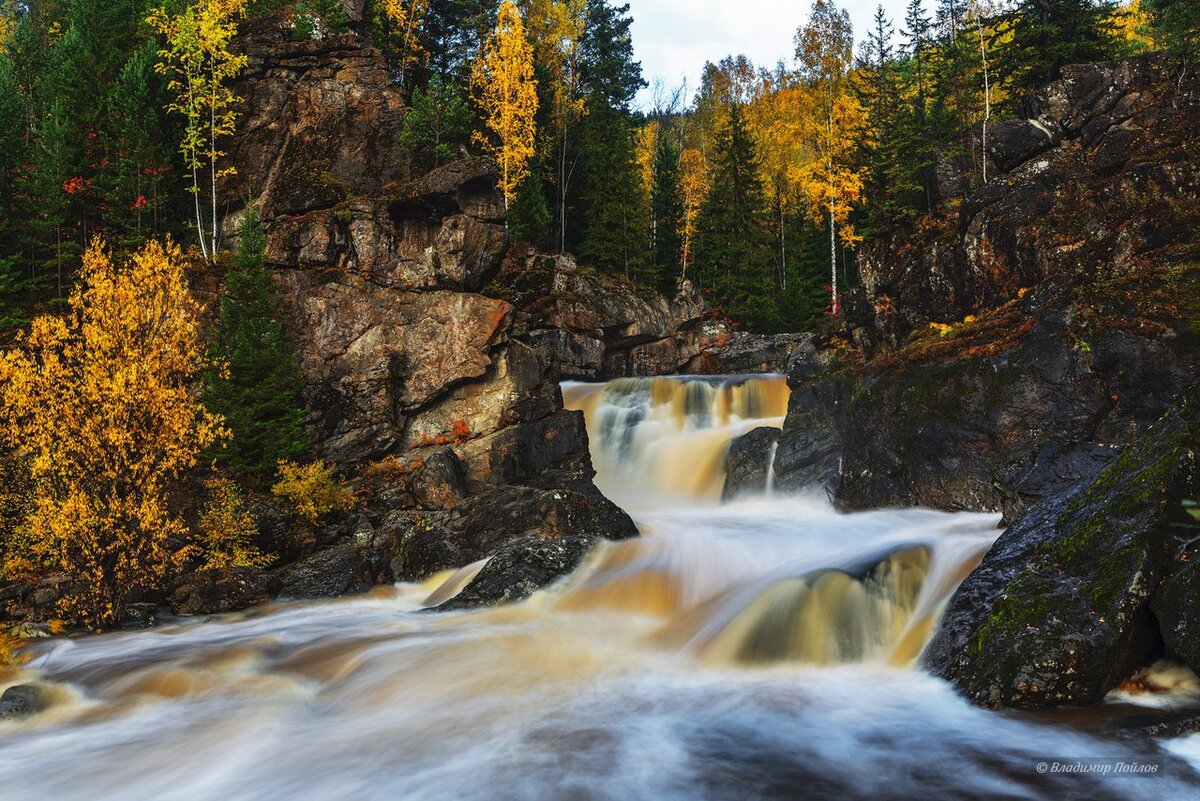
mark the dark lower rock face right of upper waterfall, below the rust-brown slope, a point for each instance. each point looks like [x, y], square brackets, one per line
[994, 414]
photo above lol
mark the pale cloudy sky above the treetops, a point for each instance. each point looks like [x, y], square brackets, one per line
[673, 39]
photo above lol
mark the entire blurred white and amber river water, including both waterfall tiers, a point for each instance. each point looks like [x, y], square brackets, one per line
[759, 649]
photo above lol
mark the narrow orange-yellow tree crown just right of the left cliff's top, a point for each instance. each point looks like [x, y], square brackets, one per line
[503, 86]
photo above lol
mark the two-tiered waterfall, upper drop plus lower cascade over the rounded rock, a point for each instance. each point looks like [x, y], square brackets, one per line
[665, 439]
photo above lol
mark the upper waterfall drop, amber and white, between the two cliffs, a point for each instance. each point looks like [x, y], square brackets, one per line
[661, 442]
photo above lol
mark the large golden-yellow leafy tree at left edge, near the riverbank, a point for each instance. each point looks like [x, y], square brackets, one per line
[101, 405]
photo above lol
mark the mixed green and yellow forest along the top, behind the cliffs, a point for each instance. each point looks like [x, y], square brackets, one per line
[757, 185]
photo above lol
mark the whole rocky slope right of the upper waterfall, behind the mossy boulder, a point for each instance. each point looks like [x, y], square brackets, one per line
[1030, 328]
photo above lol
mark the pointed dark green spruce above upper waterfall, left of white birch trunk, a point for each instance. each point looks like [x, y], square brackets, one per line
[734, 255]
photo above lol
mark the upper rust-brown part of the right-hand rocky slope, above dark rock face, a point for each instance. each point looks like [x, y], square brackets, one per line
[1100, 180]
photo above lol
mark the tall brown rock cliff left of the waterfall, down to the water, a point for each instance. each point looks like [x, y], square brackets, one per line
[427, 384]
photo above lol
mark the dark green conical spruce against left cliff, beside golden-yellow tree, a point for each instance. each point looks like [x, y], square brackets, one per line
[260, 390]
